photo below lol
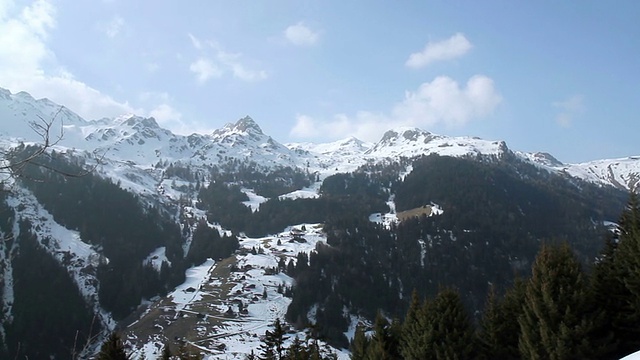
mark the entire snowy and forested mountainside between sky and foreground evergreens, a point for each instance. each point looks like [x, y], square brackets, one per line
[131, 217]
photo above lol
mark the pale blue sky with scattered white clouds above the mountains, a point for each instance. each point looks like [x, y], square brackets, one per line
[559, 77]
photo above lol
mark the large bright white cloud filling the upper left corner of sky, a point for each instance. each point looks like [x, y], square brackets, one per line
[27, 63]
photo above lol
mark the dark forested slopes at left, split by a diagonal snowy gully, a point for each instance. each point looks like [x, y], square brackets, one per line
[120, 227]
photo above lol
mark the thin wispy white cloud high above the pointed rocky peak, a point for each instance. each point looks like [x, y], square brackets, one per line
[214, 62]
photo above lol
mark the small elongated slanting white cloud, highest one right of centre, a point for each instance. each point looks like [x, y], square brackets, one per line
[448, 49]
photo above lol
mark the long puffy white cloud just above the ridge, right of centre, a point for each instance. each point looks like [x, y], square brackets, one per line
[439, 102]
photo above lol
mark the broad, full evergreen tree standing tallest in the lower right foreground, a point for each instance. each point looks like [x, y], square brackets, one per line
[559, 319]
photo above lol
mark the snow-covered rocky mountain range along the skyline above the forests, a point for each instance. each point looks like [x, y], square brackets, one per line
[142, 142]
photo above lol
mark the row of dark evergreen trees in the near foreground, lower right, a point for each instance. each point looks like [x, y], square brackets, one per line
[560, 312]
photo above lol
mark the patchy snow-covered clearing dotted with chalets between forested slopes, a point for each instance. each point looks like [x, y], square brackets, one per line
[228, 304]
